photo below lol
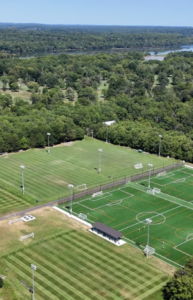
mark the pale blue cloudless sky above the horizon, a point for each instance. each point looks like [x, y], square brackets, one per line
[98, 12]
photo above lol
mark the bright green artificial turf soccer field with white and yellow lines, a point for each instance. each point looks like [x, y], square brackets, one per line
[171, 210]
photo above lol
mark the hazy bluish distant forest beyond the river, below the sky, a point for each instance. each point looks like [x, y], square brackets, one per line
[21, 39]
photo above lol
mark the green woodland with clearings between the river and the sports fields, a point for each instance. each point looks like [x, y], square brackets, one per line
[145, 98]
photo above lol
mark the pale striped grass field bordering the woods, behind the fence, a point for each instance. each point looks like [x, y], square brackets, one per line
[46, 177]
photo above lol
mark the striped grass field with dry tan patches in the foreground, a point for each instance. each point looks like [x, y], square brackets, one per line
[72, 263]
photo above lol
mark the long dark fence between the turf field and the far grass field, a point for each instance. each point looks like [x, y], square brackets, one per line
[119, 182]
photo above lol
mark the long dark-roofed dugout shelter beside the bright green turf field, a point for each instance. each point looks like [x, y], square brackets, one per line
[106, 231]
